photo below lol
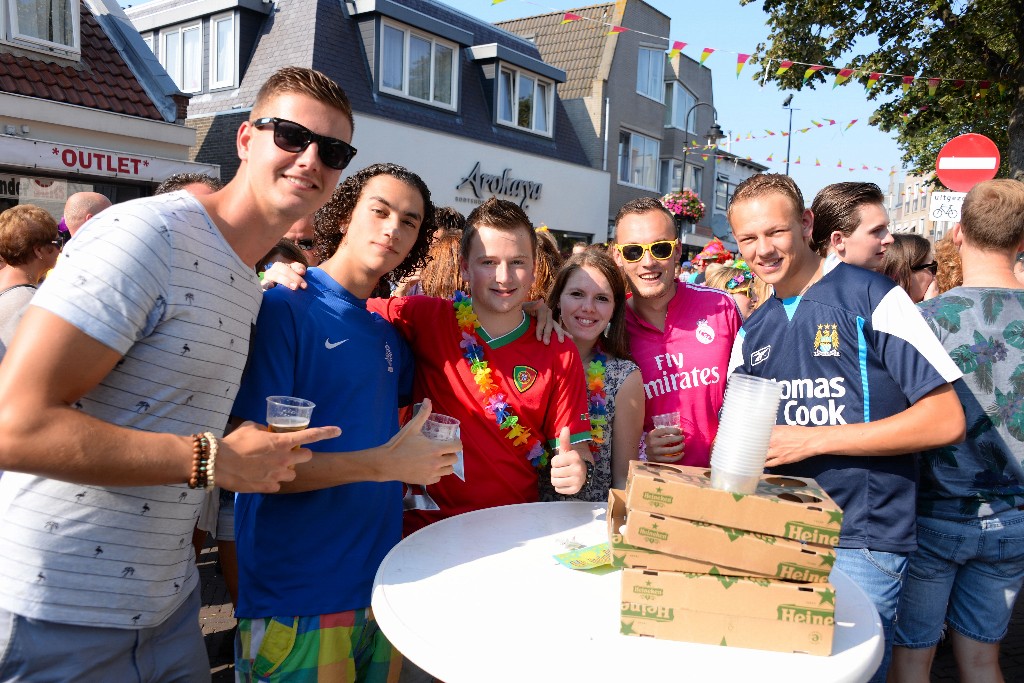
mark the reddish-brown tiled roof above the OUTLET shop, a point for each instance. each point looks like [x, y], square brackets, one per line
[102, 80]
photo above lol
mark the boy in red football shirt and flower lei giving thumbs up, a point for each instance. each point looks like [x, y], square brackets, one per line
[522, 404]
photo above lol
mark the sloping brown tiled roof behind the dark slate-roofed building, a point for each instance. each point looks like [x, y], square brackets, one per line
[577, 49]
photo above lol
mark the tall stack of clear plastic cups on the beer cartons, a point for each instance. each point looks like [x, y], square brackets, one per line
[738, 459]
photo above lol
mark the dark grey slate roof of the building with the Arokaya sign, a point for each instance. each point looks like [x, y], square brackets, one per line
[320, 35]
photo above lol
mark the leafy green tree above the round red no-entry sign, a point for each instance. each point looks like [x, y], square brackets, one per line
[969, 40]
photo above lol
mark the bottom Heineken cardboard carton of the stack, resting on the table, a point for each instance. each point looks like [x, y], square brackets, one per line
[730, 611]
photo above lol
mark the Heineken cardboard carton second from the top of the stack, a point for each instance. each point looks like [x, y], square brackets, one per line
[759, 553]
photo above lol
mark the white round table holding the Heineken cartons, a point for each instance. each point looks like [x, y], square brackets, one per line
[479, 597]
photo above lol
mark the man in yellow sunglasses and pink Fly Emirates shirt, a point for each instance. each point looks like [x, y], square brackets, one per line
[680, 335]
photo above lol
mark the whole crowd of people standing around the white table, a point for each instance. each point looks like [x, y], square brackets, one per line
[134, 396]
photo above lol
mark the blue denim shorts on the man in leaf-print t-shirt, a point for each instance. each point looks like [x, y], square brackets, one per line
[964, 573]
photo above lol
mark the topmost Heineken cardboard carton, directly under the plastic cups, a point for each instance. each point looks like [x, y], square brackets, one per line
[790, 507]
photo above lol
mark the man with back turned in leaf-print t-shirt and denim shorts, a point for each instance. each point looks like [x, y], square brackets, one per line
[969, 566]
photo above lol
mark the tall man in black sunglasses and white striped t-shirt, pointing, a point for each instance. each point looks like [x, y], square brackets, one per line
[136, 343]
